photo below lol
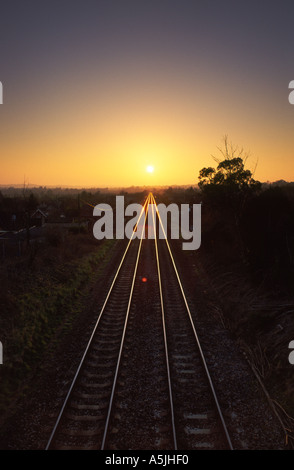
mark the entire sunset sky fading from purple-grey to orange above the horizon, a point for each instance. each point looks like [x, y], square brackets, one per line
[96, 91]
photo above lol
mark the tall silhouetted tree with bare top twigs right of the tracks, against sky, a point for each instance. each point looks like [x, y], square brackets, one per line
[225, 192]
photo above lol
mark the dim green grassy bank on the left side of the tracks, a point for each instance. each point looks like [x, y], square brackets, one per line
[37, 303]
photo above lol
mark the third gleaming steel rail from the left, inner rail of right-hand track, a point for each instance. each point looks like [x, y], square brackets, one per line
[164, 334]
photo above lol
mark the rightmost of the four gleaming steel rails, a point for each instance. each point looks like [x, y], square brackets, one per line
[194, 331]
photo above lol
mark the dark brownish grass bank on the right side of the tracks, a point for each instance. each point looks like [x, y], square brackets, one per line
[261, 322]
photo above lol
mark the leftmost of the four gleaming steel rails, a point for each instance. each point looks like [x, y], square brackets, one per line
[94, 330]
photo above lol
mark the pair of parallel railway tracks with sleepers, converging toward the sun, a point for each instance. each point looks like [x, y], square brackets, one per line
[142, 383]
